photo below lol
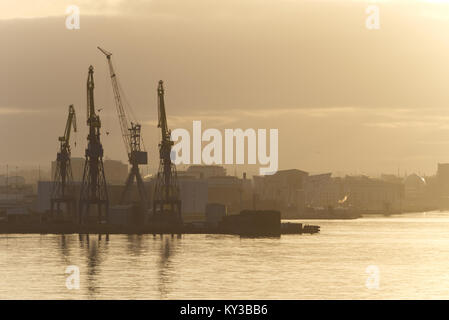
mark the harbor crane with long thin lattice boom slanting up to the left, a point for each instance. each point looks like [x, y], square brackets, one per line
[132, 140]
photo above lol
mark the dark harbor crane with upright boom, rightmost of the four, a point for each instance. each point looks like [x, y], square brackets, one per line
[166, 199]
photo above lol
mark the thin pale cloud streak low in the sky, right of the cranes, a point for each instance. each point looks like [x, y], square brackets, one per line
[383, 118]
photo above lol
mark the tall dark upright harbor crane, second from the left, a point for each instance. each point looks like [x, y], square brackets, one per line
[93, 187]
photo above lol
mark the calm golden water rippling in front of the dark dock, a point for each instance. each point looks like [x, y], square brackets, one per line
[411, 252]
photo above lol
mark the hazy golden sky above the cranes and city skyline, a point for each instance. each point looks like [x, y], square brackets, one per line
[344, 98]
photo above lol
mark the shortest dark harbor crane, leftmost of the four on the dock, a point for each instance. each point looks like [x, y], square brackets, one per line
[62, 188]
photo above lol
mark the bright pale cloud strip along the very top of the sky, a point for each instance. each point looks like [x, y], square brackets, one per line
[197, 9]
